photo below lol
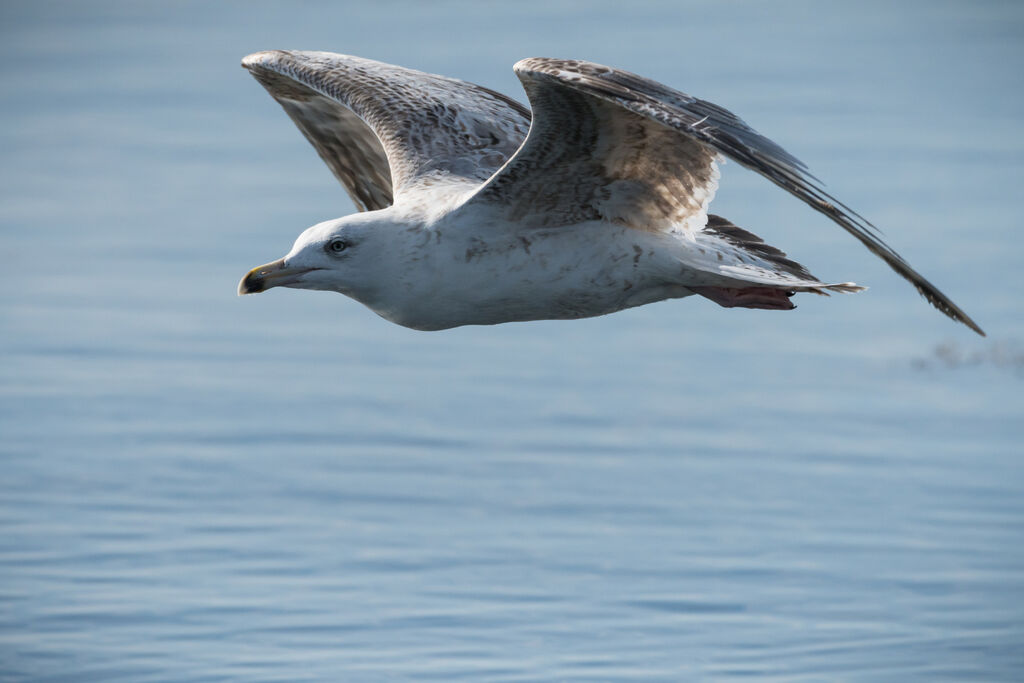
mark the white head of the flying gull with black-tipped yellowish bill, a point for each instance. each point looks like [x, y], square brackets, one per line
[339, 255]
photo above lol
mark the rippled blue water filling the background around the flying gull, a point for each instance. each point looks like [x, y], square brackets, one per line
[286, 488]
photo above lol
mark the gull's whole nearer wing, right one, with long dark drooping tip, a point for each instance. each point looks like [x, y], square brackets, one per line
[611, 145]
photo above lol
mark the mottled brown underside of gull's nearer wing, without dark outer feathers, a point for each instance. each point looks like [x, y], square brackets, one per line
[587, 158]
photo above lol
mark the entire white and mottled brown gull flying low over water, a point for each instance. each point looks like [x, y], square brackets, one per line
[476, 210]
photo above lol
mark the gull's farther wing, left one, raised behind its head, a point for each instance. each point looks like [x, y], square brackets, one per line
[386, 131]
